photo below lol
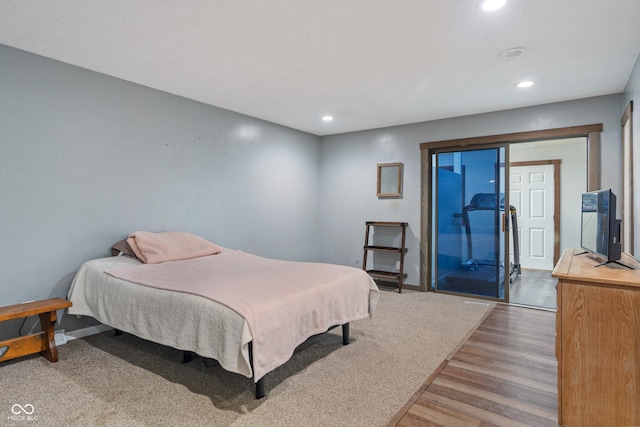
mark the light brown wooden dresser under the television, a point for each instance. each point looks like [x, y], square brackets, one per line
[598, 341]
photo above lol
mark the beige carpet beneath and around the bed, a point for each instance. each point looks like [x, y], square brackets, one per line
[107, 380]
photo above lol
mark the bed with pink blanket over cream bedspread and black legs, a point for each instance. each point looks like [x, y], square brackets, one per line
[247, 312]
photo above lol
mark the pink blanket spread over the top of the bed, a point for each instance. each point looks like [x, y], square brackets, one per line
[283, 302]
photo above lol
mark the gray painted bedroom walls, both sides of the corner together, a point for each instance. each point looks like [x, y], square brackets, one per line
[85, 159]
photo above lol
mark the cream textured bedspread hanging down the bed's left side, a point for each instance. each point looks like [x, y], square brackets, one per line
[179, 320]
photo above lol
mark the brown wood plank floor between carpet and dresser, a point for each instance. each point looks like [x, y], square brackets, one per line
[505, 374]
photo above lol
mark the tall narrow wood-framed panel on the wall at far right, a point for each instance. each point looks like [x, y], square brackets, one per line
[627, 181]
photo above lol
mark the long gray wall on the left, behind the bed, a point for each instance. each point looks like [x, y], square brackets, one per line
[86, 159]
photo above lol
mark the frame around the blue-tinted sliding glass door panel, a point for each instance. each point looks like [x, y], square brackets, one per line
[505, 219]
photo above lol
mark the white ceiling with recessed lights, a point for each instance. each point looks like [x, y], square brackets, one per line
[369, 63]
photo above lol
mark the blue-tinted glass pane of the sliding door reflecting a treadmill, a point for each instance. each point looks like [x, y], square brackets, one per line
[469, 222]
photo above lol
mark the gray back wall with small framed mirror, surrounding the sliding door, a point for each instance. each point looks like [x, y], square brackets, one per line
[347, 196]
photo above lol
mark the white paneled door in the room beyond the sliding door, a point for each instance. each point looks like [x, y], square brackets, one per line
[531, 193]
